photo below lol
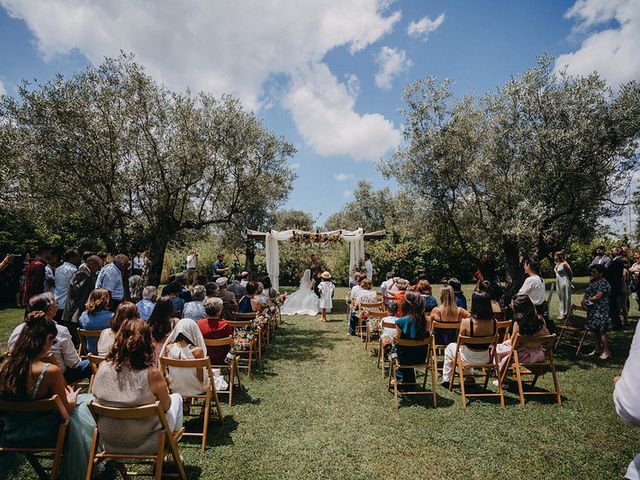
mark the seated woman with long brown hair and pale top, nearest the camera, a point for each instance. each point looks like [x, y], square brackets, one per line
[128, 378]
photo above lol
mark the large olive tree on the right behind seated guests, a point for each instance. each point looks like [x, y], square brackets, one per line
[522, 169]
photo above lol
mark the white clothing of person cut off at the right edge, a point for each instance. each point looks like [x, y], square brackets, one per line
[626, 397]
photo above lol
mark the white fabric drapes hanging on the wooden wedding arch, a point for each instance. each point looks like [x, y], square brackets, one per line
[355, 239]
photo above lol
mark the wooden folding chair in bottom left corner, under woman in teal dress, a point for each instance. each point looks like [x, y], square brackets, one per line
[36, 453]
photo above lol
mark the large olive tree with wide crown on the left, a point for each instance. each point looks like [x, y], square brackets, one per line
[137, 162]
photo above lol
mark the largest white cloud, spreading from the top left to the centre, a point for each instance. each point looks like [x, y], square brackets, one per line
[229, 47]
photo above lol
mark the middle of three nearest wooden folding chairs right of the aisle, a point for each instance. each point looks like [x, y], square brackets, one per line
[493, 364]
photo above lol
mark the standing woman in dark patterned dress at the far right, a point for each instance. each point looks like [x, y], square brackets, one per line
[596, 301]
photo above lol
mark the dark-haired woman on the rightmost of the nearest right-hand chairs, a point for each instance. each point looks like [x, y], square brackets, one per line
[526, 322]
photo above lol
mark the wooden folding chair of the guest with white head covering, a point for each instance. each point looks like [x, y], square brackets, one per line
[209, 396]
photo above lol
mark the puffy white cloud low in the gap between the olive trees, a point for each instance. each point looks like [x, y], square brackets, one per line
[323, 111]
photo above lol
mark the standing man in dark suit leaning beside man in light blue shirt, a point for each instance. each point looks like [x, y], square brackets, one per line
[81, 284]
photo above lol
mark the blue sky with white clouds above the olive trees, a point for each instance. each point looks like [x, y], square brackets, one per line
[328, 76]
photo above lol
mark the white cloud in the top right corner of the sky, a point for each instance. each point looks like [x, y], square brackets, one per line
[612, 51]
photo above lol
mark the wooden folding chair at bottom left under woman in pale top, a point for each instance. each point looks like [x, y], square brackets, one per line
[166, 438]
